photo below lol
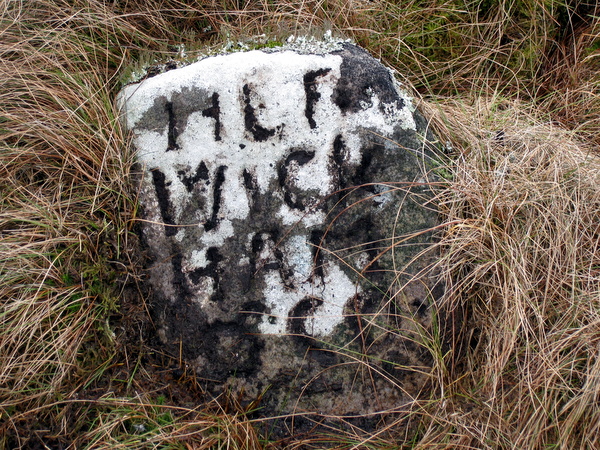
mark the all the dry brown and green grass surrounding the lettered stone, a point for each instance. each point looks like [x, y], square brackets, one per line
[512, 87]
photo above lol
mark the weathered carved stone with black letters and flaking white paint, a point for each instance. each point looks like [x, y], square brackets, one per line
[278, 188]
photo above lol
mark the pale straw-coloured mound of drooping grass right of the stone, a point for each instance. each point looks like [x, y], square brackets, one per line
[521, 258]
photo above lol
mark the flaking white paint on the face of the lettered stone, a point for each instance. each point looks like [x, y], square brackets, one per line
[278, 95]
